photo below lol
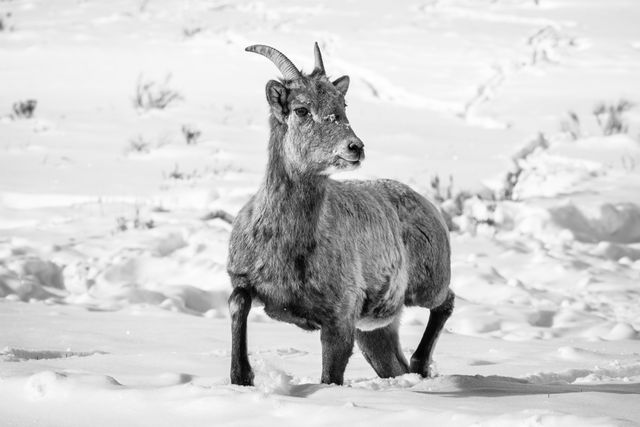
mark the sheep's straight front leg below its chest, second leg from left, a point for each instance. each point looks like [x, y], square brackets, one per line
[337, 346]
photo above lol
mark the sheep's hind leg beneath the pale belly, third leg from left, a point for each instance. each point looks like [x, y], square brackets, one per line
[381, 348]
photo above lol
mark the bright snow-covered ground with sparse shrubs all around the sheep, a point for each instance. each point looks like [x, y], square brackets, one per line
[113, 288]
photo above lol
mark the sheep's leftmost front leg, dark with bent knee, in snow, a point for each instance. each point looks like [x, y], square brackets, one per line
[239, 306]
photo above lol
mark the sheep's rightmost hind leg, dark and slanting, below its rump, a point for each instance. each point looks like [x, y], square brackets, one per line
[421, 358]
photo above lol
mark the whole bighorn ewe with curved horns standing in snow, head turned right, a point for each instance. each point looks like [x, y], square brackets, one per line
[340, 256]
